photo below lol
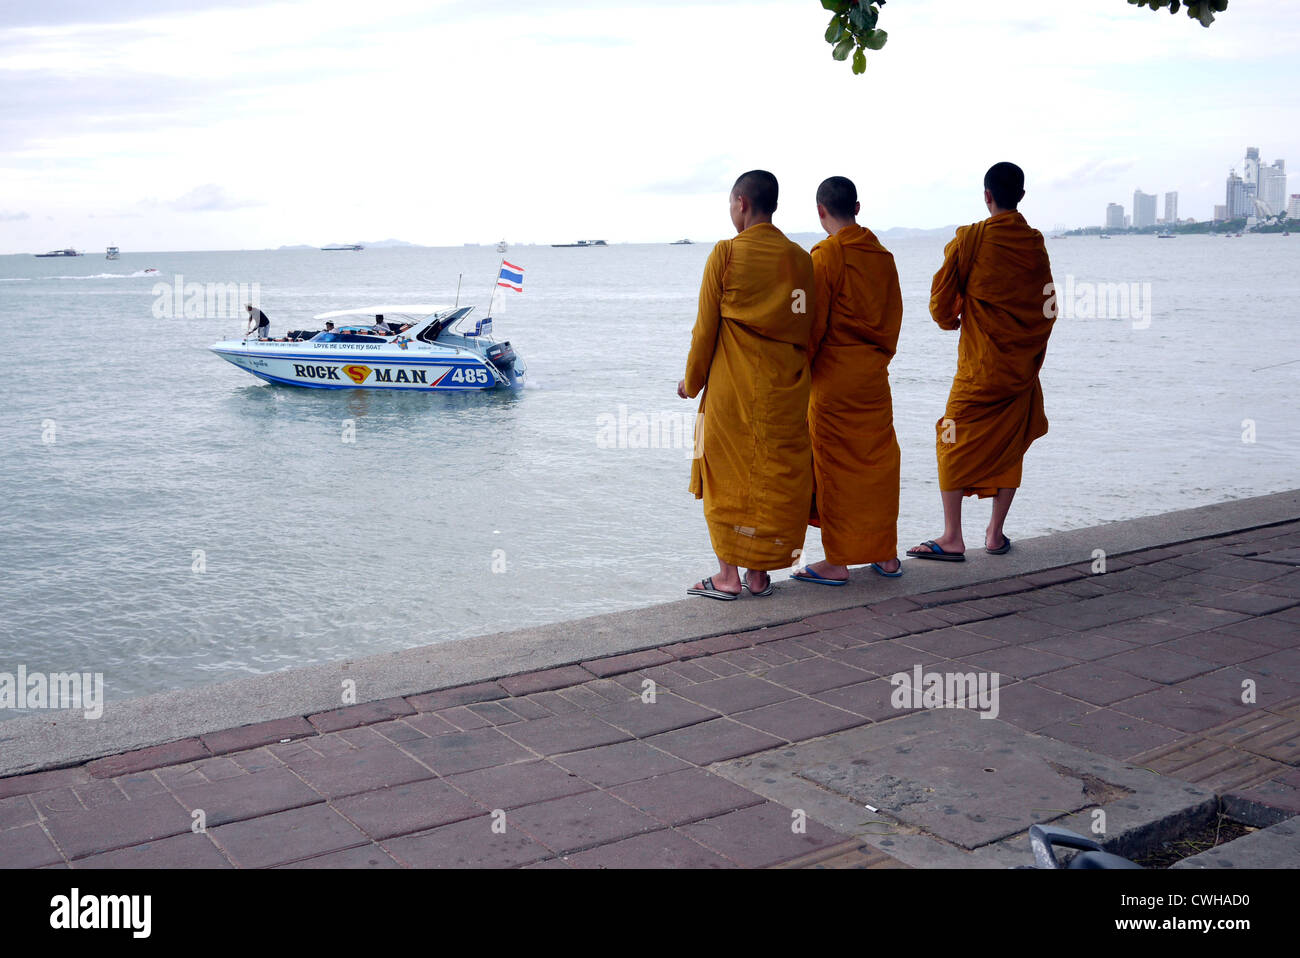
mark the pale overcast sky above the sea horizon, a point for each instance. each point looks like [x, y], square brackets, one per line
[168, 125]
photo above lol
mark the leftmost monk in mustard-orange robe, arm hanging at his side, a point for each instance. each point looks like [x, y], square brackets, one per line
[753, 463]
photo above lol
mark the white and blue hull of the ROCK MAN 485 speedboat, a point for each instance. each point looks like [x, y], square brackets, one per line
[382, 367]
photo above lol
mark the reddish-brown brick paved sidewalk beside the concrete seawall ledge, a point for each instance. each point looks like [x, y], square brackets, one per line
[570, 768]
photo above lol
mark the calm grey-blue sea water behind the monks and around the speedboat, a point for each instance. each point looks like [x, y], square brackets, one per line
[170, 521]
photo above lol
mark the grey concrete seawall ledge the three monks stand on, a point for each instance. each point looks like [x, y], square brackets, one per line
[59, 739]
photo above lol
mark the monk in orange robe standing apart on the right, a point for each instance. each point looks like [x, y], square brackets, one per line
[996, 288]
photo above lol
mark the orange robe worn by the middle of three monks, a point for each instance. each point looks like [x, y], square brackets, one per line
[851, 415]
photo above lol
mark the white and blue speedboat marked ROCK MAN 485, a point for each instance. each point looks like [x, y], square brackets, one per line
[384, 348]
